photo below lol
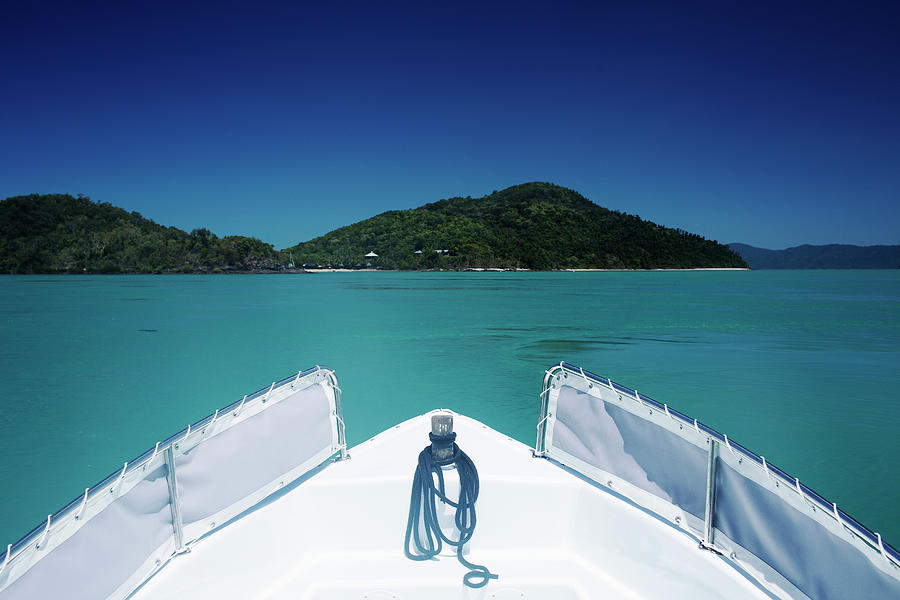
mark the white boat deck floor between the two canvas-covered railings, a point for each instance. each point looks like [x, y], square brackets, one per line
[547, 534]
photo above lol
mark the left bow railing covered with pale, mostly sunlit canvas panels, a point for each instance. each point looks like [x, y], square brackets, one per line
[114, 536]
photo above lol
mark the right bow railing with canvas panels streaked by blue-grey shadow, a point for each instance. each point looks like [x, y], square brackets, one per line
[791, 540]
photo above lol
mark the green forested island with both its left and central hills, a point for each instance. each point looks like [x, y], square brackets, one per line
[528, 226]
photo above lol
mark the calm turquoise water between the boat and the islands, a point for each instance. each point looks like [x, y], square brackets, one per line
[800, 366]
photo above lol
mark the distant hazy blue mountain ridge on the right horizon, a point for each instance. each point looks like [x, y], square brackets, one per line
[830, 256]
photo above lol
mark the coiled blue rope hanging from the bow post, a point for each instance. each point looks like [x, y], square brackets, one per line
[423, 489]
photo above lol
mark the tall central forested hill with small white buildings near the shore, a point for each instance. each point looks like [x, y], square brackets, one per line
[532, 225]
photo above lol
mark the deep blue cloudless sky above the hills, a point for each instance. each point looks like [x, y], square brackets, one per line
[771, 124]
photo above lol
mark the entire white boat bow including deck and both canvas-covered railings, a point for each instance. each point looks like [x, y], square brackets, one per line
[622, 497]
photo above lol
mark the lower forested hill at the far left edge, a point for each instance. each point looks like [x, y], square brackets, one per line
[60, 233]
